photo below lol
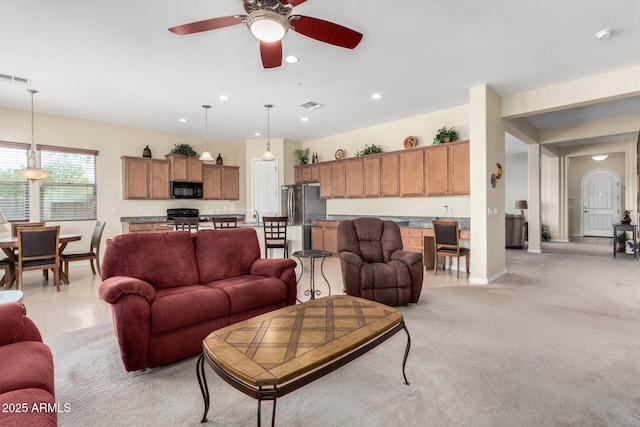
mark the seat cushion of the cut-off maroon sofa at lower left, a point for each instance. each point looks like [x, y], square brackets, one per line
[26, 364]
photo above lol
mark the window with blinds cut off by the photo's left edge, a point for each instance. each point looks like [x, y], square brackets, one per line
[14, 191]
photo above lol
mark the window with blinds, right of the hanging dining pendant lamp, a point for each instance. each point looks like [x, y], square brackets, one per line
[70, 192]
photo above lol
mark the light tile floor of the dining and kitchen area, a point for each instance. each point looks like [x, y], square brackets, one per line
[77, 305]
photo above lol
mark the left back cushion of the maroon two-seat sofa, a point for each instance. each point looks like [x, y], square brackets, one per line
[164, 260]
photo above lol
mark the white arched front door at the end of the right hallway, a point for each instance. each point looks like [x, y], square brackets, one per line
[601, 200]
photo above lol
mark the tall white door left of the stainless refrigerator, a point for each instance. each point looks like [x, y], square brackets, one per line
[265, 187]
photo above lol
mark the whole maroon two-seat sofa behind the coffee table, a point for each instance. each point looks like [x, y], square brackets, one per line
[169, 290]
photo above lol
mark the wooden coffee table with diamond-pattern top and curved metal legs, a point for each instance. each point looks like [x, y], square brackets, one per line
[271, 355]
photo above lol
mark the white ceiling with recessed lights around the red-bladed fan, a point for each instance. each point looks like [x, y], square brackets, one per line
[115, 61]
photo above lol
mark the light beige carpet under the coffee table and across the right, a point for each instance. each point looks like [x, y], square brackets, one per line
[553, 342]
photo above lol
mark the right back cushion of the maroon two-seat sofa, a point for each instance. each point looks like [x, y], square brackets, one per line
[222, 254]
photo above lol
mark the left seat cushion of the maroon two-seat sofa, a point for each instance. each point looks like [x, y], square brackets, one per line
[187, 305]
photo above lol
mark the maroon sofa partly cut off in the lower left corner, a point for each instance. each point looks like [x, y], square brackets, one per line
[27, 395]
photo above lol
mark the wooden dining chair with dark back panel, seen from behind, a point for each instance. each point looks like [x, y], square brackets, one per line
[38, 250]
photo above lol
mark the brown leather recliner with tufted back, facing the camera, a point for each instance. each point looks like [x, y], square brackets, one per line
[374, 266]
